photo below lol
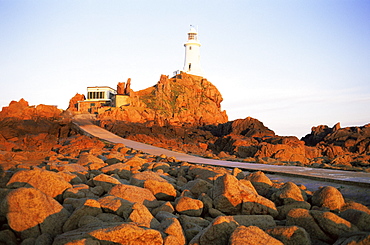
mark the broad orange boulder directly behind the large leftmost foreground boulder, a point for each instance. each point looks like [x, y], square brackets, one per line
[55, 187]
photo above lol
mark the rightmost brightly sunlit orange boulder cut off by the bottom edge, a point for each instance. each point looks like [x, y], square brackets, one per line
[251, 235]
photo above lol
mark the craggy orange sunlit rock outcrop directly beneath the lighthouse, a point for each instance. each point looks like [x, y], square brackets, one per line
[181, 100]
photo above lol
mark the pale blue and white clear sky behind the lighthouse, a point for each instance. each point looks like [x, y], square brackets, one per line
[291, 64]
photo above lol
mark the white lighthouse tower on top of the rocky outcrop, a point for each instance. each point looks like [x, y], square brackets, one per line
[192, 54]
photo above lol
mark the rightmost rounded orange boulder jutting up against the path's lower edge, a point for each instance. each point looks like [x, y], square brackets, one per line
[328, 197]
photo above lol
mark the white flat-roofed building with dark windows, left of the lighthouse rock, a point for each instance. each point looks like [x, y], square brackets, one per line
[97, 97]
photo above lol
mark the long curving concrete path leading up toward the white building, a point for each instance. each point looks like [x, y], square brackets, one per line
[349, 177]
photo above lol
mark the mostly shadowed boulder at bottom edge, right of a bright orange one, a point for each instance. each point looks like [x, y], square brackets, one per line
[290, 235]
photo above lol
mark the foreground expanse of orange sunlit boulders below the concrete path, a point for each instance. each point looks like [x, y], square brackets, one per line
[92, 192]
